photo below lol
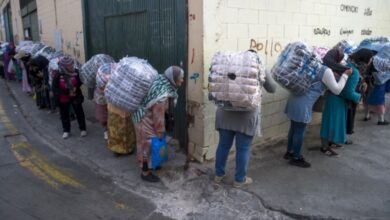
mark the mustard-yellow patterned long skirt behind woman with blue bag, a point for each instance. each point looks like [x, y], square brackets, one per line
[121, 132]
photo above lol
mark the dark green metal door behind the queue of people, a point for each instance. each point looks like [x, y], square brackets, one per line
[155, 30]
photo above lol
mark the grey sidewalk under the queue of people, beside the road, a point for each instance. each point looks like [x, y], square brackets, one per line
[355, 185]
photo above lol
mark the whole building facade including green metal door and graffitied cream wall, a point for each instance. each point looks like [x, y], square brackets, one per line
[189, 32]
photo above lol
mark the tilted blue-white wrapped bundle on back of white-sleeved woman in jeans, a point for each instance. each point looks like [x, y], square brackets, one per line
[296, 68]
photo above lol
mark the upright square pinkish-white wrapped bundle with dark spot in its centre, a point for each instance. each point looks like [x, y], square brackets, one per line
[235, 80]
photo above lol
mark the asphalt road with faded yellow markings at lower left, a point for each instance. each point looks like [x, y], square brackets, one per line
[38, 183]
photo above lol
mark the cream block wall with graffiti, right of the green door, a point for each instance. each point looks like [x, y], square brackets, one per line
[267, 26]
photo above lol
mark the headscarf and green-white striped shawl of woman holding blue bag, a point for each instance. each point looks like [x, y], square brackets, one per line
[163, 87]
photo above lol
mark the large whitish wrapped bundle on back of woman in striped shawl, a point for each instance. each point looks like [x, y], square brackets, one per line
[129, 83]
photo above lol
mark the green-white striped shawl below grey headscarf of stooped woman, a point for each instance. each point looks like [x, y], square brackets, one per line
[161, 89]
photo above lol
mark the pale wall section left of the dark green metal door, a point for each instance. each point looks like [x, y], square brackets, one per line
[61, 24]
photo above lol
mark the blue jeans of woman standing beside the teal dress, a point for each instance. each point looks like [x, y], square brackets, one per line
[295, 137]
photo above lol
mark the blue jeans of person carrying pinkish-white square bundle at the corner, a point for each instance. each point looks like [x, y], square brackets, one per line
[243, 143]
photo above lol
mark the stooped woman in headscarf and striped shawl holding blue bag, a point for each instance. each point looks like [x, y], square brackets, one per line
[149, 118]
